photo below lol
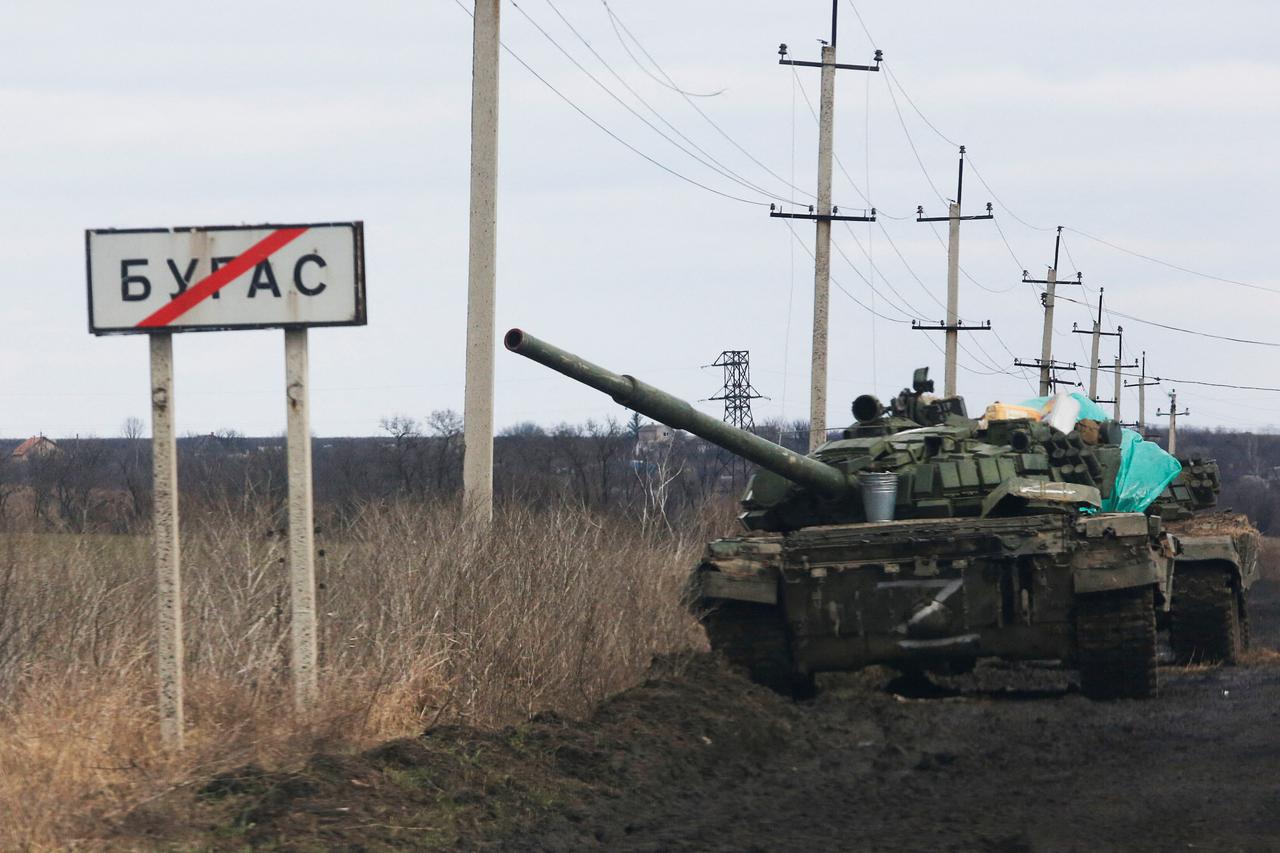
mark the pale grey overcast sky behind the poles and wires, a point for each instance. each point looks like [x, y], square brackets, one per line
[1151, 126]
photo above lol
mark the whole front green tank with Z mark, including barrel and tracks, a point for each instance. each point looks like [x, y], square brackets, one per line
[998, 546]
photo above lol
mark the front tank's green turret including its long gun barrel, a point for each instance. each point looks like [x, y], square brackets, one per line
[948, 466]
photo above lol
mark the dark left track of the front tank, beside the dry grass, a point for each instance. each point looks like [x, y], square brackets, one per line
[756, 637]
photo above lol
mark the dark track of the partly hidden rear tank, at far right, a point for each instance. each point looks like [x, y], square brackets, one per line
[1208, 623]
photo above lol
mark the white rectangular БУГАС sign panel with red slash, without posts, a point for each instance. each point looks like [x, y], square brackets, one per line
[234, 277]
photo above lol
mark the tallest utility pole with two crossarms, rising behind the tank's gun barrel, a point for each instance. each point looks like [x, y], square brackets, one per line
[824, 217]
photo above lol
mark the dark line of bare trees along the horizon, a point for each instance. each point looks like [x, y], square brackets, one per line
[104, 485]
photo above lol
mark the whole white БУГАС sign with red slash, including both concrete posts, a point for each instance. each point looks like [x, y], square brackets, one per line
[161, 281]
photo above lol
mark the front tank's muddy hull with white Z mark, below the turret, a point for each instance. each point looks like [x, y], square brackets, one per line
[929, 592]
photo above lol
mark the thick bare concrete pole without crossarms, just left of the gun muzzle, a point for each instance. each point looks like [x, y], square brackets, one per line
[482, 268]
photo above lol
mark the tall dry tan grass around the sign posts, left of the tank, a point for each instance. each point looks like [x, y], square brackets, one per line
[423, 621]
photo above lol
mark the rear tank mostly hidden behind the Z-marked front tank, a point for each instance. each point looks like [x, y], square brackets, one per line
[1215, 563]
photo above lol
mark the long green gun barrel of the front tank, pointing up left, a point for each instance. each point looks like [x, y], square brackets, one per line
[678, 414]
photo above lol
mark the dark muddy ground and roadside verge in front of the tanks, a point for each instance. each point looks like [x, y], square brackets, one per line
[697, 759]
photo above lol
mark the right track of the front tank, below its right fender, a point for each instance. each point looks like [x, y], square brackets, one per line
[1117, 644]
